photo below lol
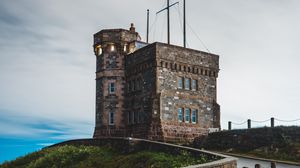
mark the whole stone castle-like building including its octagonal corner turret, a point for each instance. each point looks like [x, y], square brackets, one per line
[153, 91]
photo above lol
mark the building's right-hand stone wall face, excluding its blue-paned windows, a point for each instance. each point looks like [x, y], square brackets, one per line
[175, 62]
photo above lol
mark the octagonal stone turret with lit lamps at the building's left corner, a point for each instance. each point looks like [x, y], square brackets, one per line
[110, 47]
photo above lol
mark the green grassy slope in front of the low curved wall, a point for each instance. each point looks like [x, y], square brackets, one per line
[87, 156]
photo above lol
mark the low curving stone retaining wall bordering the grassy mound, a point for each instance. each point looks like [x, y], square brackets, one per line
[133, 144]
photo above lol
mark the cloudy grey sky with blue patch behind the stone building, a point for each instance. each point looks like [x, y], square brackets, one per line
[47, 64]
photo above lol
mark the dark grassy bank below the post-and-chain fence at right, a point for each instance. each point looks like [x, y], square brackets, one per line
[280, 143]
